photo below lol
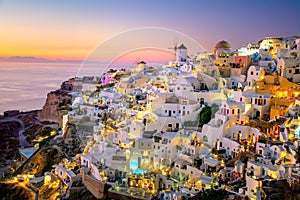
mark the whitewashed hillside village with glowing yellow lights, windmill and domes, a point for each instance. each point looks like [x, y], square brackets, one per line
[227, 120]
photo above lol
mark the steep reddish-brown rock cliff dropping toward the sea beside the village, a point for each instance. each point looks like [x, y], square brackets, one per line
[56, 101]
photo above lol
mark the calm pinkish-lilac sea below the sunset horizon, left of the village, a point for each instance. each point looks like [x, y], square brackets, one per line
[24, 86]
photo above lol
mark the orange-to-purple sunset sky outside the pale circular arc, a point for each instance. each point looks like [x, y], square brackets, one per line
[71, 29]
